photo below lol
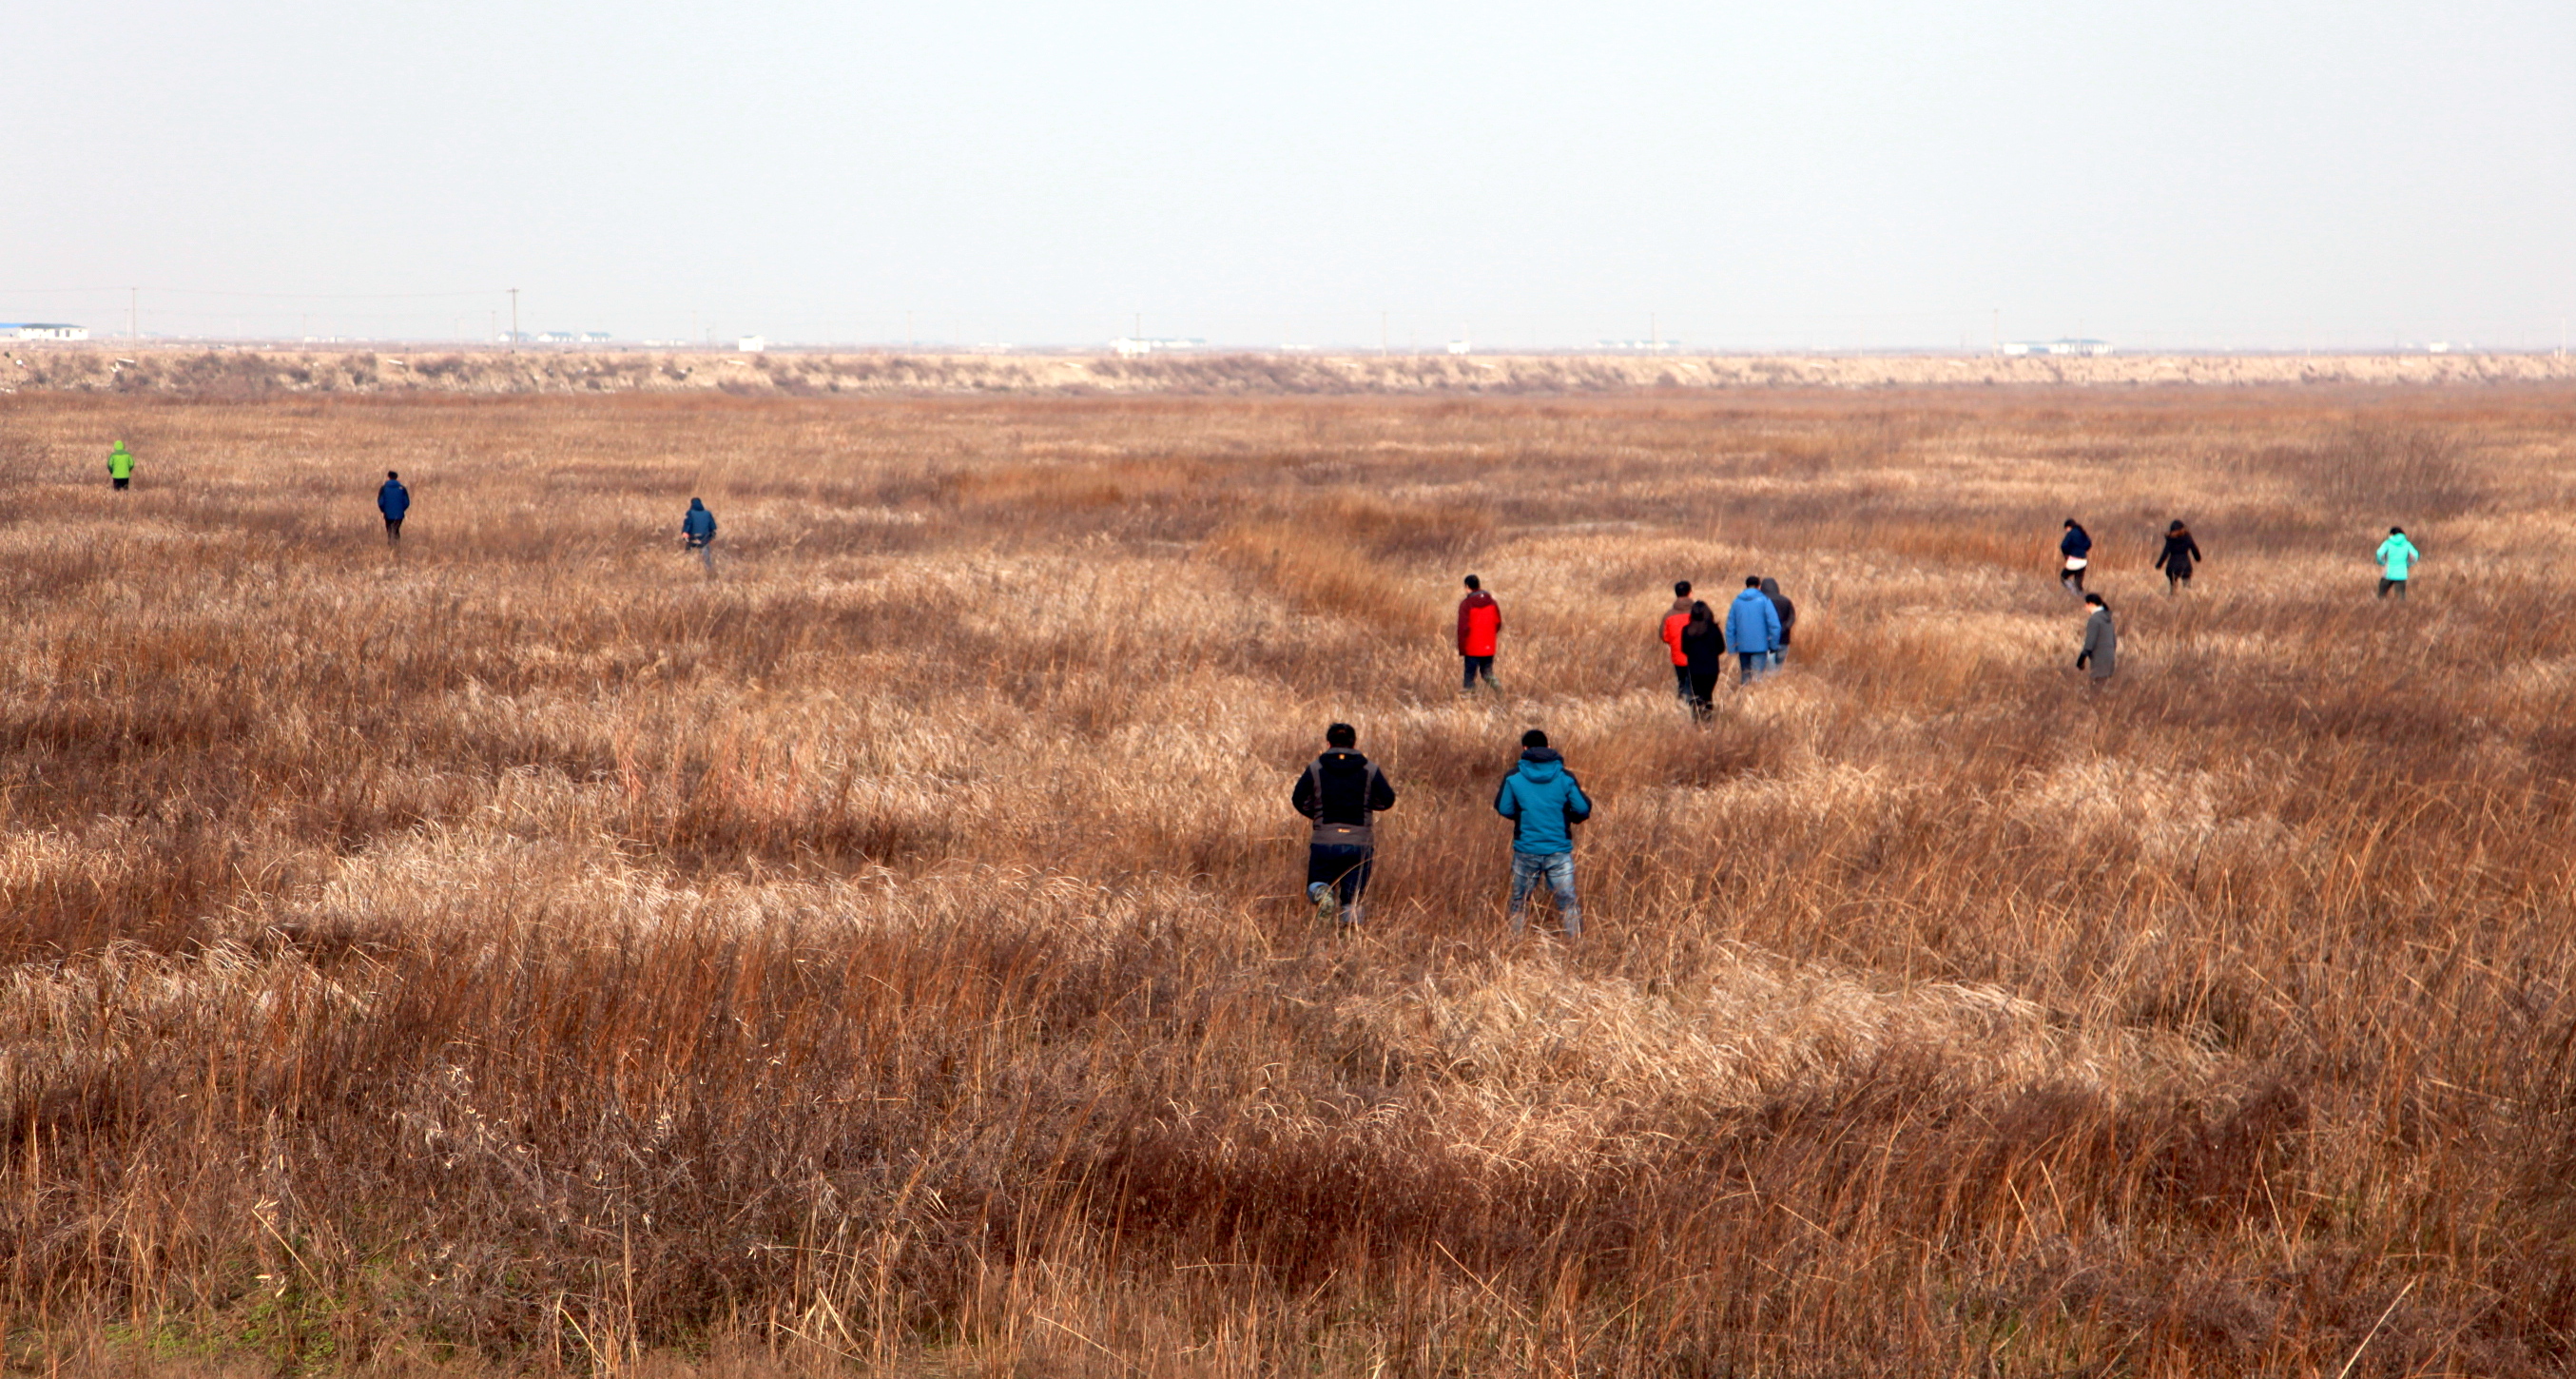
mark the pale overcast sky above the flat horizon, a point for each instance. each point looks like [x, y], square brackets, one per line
[1802, 174]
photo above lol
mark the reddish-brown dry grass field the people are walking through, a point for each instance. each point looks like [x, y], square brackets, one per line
[887, 958]
